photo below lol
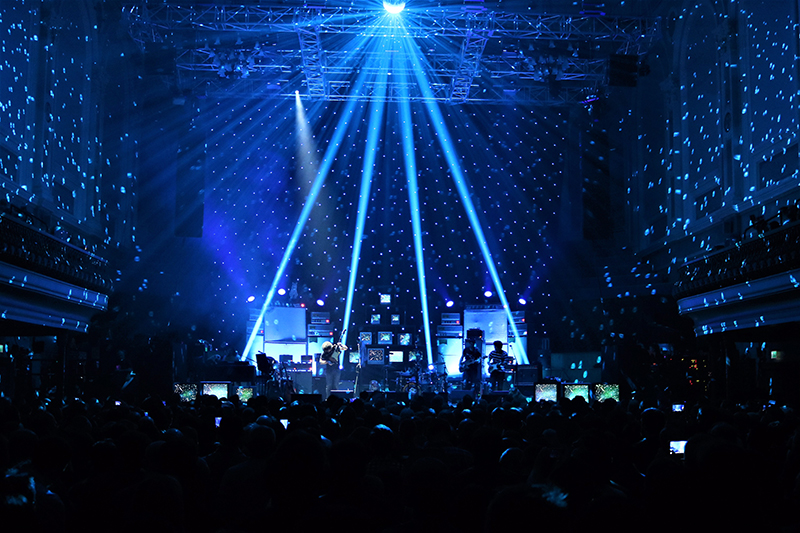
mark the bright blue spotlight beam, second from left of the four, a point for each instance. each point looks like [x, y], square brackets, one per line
[375, 123]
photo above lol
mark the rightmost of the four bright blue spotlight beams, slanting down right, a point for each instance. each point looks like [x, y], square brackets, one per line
[460, 181]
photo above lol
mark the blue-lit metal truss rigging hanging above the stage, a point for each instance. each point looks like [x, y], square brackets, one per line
[469, 54]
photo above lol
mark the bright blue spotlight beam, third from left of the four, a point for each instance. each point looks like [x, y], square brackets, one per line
[416, 224]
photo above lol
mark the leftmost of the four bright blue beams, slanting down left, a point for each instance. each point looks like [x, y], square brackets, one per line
[319, 181]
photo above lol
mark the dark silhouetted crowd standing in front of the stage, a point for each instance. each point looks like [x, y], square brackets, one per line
[378, 464]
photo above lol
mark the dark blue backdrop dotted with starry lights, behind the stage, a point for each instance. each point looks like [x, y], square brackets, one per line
[259, 192]
